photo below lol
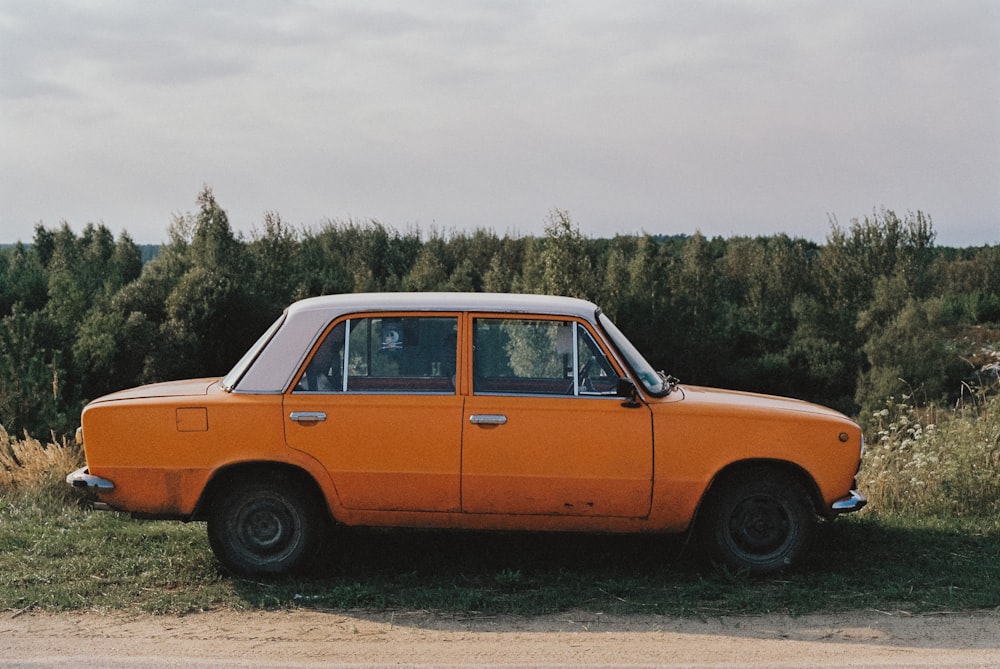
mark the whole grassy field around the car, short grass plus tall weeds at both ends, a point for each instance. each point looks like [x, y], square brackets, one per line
[927, 544]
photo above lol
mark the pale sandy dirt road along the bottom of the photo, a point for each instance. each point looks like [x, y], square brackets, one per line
[309, 638]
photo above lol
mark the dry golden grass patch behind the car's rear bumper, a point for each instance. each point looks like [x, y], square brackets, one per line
[29, 467]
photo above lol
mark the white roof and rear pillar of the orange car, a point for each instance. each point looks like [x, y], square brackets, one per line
[305, 320]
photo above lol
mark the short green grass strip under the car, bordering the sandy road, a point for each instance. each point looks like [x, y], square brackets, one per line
[66, 558]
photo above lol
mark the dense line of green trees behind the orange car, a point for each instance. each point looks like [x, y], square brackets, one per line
[875, 311]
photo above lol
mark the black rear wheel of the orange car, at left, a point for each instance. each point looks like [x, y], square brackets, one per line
[264, 525]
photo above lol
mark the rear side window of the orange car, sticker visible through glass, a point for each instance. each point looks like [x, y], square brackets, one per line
[385, 354]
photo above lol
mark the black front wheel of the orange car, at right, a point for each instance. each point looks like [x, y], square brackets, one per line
[760, 521]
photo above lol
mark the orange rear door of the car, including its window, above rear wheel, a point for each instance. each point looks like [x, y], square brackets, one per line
[377, 406]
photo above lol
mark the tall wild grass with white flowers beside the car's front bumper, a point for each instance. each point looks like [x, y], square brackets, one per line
[934, 462]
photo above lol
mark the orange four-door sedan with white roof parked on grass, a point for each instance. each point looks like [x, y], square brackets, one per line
[478, 411]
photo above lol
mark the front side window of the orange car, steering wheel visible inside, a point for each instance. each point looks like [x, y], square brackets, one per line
[538, 357]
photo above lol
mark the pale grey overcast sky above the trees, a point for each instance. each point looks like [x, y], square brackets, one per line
[657, 116]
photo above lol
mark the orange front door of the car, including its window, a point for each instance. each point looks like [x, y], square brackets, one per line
[544, 431]
